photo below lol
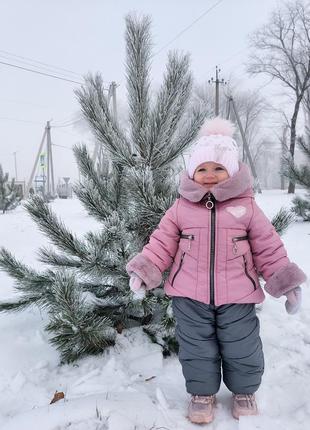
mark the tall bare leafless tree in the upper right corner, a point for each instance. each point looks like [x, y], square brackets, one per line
[281, 49]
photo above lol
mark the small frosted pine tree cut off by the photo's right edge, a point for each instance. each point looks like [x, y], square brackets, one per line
[301, 176]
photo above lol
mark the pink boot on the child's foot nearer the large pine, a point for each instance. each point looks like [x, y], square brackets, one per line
[201, 409]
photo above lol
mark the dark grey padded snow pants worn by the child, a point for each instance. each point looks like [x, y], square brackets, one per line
[218, 338]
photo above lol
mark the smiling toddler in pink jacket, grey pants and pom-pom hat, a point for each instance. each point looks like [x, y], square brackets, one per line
[217, 241]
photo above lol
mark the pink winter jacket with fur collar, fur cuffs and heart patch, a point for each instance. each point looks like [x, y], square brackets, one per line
[216, 255]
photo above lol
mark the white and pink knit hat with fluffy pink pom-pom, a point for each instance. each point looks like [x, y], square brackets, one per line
[215, 143]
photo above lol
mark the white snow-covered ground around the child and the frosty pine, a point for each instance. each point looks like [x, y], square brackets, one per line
[131, 387]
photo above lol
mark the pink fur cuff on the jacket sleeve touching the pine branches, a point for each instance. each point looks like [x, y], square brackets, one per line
[146, 270]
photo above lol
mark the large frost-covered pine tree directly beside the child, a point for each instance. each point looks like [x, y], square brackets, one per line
[85, 287]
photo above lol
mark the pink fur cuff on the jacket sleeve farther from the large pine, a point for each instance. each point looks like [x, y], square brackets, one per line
[284, 280]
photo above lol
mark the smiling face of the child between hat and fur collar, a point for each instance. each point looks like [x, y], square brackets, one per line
[208, 174]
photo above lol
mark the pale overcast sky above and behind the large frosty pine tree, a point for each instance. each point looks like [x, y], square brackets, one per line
[88, 35]
